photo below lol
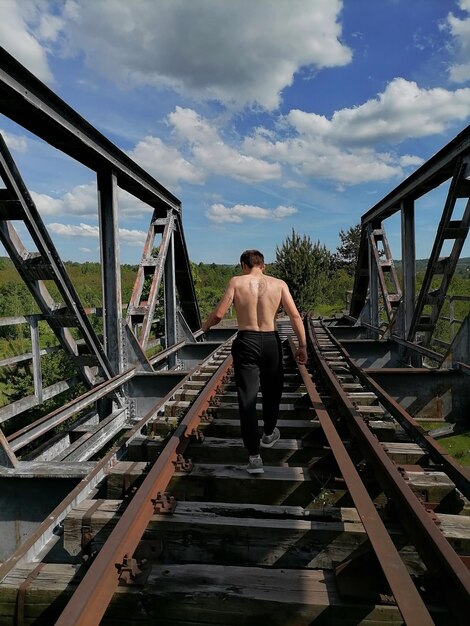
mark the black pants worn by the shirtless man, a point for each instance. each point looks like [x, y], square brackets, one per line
[257, 361]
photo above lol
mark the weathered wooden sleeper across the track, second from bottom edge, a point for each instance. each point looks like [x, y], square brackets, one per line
[252, 534]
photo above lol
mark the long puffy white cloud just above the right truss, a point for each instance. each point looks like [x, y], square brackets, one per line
[347, 147]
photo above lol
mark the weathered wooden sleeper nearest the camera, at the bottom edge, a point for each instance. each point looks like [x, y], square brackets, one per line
[174, 595]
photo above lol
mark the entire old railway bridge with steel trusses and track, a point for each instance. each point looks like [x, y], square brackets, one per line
[129, 504]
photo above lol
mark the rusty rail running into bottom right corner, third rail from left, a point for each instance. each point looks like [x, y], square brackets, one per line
[433, 548]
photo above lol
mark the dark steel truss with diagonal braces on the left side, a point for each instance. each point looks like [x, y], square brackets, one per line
[31, 104]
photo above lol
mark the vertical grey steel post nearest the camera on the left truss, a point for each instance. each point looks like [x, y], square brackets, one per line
[110, 268]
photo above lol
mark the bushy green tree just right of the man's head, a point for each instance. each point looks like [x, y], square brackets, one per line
[305, 267]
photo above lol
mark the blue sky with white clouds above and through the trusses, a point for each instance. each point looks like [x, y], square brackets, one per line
[259, 116]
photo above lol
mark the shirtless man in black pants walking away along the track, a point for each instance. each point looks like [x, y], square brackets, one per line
[256, 350]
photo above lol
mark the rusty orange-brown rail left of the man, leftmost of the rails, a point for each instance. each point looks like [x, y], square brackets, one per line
[94, 593]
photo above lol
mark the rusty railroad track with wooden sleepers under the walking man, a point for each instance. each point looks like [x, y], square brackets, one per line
[358, 518]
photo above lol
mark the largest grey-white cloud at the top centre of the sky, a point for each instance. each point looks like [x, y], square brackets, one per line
[239, 53]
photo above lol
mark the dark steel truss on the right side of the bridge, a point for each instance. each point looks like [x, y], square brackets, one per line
[409, 318]
